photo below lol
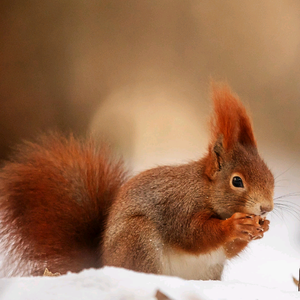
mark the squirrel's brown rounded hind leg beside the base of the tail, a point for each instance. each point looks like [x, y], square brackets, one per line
[133, 244]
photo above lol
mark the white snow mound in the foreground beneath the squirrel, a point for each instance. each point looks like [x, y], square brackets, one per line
[112, 284]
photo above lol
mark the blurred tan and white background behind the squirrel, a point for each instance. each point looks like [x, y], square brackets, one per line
[137, 72]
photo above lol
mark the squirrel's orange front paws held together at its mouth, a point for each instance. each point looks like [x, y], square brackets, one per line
[246, 227]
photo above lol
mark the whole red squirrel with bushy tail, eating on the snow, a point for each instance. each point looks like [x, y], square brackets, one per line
[68, 204]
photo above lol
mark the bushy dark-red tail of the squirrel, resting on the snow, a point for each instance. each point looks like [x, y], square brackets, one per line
[54, 200]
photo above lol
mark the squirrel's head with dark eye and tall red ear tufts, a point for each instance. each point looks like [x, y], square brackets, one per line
[241, 180]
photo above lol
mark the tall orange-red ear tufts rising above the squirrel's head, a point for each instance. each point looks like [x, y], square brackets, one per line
[230, 119]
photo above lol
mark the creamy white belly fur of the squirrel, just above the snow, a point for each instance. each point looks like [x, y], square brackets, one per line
[195, 267]
